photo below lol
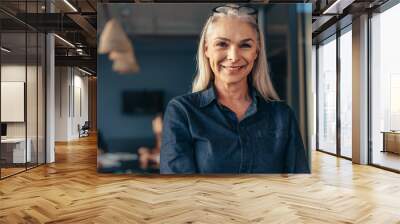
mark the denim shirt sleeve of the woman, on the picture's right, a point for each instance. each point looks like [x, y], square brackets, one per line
[296, 155]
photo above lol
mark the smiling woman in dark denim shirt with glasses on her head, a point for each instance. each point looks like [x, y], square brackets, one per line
[233, 122]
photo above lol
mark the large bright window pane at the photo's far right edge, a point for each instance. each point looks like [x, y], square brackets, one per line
[385, 86]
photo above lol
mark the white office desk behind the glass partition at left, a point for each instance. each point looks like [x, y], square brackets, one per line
[13, 150]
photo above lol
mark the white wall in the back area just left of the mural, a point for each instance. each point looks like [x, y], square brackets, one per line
[71, 93]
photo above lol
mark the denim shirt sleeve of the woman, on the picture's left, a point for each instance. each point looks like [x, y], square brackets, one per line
[177, 151]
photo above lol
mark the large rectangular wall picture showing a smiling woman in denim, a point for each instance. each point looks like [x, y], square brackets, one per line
[203, 88]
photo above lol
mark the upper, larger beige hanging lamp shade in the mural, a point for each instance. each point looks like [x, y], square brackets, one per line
[113, 38]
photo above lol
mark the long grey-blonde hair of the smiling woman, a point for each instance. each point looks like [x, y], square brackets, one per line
[261, 80]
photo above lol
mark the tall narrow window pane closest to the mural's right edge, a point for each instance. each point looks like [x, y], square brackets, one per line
[327, 97]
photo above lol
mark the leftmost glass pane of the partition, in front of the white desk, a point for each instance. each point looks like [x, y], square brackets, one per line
[14, 153]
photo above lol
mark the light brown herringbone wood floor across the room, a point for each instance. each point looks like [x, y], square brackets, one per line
[71, 191]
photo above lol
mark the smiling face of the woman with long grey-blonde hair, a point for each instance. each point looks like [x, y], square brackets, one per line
[231, 48]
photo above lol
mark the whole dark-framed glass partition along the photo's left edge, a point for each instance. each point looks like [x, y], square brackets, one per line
[22, 88]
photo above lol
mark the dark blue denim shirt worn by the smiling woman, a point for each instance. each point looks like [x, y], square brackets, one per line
[202, 136]
